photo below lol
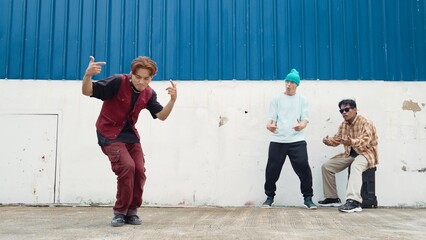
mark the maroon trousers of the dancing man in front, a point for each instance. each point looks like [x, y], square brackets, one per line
[128, 163]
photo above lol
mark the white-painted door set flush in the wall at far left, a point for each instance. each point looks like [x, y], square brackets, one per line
[28, 145]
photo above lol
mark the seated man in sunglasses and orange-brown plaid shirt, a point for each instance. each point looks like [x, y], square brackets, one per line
[358, 136]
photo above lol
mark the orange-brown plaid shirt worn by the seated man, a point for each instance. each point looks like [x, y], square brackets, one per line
[364, 140]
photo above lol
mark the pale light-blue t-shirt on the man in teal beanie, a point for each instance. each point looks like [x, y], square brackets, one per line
[285, 110]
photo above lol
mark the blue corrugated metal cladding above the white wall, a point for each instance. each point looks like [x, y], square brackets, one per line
[215, 39]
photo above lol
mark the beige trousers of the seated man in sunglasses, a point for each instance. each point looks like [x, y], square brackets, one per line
[329, 169]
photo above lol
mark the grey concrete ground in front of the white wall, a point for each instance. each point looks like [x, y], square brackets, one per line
[59, 222]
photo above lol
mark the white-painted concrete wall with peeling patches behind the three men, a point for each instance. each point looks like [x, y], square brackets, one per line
[213, 148]
